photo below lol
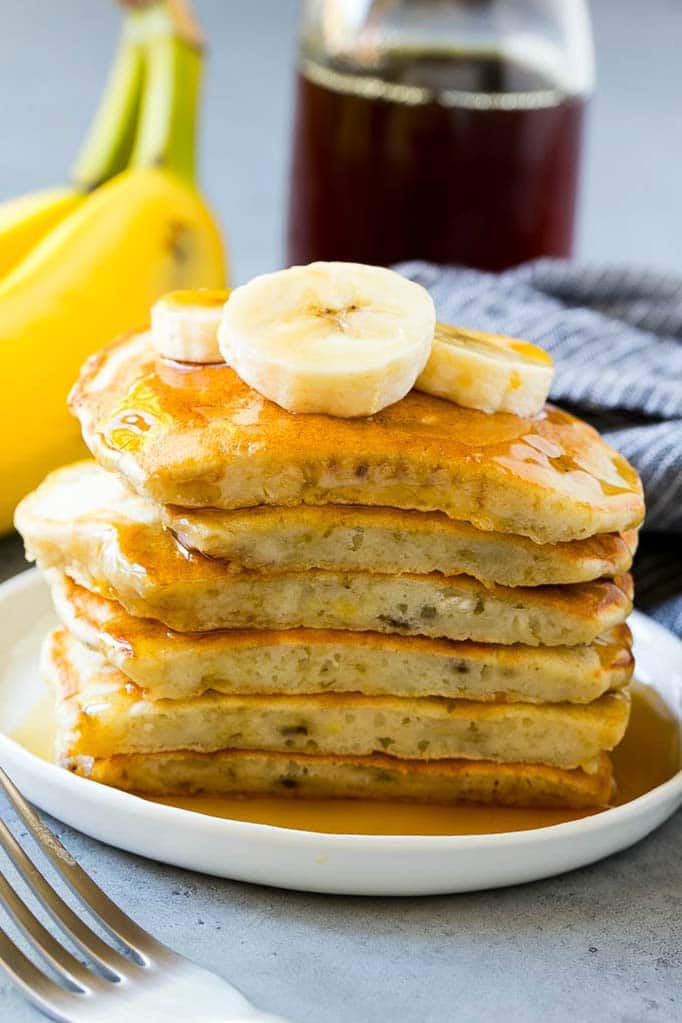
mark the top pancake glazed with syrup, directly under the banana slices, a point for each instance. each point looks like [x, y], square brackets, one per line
[200, 437]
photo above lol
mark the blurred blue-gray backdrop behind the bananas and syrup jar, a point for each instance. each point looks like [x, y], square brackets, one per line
[52, 61]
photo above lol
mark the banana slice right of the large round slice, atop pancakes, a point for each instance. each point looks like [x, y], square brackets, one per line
[487, 372]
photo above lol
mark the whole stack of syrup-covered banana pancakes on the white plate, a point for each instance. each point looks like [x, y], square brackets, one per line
[429, 604]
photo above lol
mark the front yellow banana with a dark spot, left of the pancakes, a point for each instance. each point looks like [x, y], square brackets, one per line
[95, 277]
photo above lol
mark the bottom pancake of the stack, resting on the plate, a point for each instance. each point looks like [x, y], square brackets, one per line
[241, 773]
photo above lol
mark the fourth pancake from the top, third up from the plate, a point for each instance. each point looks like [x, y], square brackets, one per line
[178, 666]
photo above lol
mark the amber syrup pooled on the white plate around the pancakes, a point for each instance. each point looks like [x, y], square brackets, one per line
[649, 755]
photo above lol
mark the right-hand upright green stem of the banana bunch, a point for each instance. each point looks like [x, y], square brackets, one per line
[167, 127]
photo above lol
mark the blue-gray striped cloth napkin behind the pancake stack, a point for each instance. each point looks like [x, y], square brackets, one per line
[616, 338]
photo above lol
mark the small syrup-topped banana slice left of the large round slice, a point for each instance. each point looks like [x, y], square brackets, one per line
[185, 326]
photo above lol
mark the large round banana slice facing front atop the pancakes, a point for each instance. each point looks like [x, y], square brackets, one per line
[337, 338]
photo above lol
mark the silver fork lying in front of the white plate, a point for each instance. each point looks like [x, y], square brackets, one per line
[151, 983]
